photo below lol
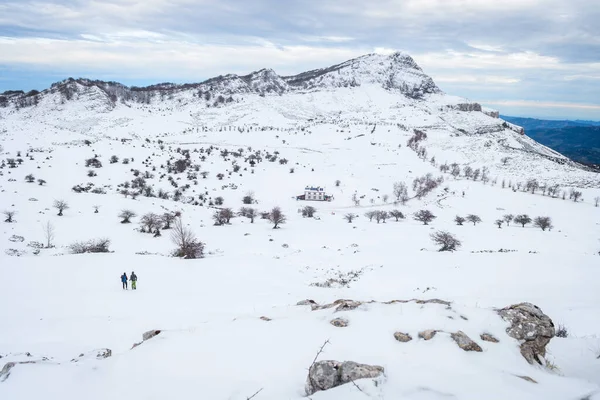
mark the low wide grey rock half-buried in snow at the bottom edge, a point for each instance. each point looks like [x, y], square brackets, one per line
[324, 375]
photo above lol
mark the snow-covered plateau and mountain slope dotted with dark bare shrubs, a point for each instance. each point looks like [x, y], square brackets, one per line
[356, 279]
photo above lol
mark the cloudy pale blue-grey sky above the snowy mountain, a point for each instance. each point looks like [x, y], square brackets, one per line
[524, 57]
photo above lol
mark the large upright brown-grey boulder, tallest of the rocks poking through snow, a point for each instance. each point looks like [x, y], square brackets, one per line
[531, 327]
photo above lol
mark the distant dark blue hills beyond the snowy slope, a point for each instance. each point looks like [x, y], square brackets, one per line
[578, 140]
